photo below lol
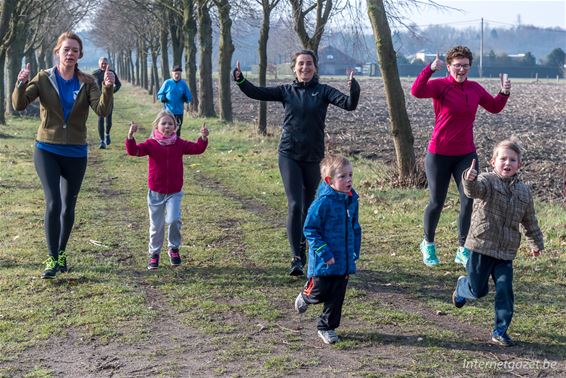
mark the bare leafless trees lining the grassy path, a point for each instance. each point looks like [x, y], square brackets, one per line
[138, 34]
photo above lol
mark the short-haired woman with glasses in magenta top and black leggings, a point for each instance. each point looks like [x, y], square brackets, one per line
[451, 149]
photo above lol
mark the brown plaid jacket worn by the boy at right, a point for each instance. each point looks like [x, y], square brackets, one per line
[500, 206]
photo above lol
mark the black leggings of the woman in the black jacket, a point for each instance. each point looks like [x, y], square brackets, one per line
[300, 180]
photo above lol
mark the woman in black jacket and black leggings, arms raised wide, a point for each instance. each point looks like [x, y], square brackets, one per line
[301, 147]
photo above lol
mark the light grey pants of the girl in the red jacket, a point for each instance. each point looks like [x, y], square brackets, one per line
[164, 208]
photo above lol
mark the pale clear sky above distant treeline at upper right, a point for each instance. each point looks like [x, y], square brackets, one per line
[499, 13]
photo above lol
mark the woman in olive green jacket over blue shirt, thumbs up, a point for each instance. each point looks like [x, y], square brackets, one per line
[60, 154]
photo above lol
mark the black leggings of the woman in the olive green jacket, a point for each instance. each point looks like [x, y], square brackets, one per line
[61, 178]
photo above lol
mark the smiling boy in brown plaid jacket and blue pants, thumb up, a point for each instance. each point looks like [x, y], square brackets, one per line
[501, 203]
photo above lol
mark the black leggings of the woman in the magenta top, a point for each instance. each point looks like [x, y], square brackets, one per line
[439, 169]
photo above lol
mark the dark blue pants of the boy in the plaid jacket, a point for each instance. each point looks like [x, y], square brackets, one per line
[476, 285]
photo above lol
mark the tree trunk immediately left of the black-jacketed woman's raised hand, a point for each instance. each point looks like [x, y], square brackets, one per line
[226, 50]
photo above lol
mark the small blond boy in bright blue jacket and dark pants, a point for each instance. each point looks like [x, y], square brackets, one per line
[334, 236]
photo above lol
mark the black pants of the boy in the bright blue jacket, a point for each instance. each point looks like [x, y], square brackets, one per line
[331, 291]
